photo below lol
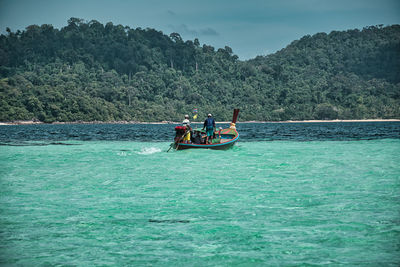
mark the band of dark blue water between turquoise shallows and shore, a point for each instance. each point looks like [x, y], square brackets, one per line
[249, 132]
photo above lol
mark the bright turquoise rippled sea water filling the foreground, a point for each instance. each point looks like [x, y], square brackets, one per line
[261, 203]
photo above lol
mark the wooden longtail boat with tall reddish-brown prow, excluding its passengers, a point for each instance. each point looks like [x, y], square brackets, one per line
[223, 138]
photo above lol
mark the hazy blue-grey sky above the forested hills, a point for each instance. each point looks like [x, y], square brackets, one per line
[250, 27]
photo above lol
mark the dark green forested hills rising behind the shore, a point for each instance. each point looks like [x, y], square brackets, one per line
[89, 71]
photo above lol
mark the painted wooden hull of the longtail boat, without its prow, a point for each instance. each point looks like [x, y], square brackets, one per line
[228, 138]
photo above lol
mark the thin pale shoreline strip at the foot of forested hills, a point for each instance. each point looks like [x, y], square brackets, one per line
[193, 122]
